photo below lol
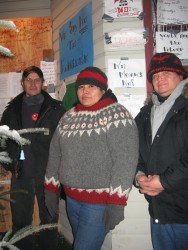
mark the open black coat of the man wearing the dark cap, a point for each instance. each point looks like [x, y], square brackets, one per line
[50, 113]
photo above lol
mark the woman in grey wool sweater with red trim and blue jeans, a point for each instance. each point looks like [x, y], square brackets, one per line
[93, 154]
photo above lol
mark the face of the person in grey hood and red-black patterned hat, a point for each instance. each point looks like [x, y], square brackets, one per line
[165, 82]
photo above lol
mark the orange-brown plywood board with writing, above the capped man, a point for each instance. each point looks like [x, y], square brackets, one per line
[34, 35]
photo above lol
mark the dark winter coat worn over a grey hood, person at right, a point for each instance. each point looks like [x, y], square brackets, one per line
[167, 157]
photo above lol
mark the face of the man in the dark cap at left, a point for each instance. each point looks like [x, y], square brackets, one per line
[32, 84]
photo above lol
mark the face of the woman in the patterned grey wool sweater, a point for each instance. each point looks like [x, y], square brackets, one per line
[89, 94]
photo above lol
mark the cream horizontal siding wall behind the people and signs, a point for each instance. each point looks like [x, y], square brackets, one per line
[133, 233]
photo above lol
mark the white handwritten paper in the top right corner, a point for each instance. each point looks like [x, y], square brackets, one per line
[172, 12]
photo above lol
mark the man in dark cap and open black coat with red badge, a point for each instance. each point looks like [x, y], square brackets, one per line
[33, 108]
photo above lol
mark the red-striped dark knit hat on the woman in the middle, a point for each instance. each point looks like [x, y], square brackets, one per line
[92, 75]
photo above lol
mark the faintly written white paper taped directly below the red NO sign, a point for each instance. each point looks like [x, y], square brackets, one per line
[125, 39]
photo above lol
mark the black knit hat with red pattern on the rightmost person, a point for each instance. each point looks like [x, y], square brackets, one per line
[165, 62]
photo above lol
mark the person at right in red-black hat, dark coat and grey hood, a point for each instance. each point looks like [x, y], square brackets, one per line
[162, 174]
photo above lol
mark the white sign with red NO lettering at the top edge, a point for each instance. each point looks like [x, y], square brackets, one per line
[118, 9]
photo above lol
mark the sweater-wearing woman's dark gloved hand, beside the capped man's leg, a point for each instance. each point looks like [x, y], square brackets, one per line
[51, 201]
